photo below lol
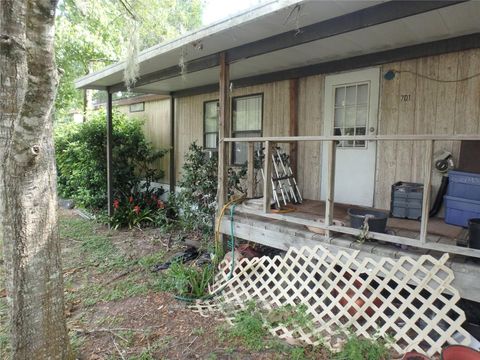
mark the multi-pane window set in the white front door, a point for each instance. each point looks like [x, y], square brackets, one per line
[351, 113]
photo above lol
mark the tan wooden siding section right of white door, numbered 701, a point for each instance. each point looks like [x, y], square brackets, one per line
[433, 107]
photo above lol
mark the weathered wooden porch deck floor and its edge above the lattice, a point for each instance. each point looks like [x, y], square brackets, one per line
[295, 229]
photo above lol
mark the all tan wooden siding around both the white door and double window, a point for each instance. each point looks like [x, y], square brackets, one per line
[432, 107]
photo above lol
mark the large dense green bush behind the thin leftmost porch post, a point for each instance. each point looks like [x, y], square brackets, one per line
[81, 158]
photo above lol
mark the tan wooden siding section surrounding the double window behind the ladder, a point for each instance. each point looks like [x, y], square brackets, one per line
[189, 115]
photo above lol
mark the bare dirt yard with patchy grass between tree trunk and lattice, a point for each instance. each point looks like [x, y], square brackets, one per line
[114, 307]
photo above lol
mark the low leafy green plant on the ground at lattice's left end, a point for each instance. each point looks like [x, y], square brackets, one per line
[187, 281]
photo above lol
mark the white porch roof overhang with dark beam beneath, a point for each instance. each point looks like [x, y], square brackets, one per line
[281, 36]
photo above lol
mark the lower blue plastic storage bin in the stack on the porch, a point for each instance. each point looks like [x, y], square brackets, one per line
[458, 211]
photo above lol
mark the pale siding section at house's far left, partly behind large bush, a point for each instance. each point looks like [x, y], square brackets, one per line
[156, 129]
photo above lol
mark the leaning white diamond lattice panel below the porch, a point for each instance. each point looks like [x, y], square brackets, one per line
[404, 298]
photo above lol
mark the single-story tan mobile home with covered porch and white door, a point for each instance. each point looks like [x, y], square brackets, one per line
[361, 94]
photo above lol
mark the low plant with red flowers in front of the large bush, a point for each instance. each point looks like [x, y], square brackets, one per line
[138, 207]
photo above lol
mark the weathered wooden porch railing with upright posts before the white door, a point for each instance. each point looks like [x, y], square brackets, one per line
[327, 225]
